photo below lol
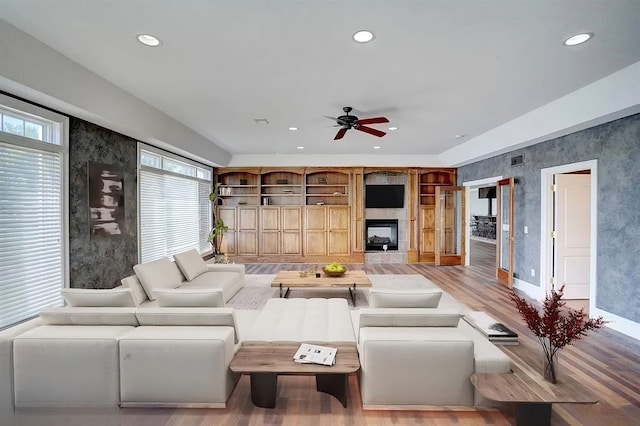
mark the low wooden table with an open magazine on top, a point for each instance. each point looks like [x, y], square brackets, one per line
[265, 362]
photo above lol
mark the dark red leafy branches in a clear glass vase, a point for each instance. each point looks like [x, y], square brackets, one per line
[557, 327]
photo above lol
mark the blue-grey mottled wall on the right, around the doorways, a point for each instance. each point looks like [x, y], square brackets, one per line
[616, 146]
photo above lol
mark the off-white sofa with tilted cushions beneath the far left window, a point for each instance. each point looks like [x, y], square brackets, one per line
[189, 281]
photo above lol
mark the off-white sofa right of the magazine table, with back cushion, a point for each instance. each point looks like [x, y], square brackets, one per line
[417, 357]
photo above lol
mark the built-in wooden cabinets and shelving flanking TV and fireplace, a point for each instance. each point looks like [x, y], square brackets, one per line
[316, 214]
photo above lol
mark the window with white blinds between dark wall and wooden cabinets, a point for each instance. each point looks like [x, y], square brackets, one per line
[174, 211]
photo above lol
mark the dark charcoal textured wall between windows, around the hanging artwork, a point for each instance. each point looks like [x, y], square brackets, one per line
[100, 263]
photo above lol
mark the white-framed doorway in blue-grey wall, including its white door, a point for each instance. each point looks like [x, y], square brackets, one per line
[568, 232]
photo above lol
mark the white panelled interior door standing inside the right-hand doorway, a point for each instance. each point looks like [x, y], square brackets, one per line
[573, 235]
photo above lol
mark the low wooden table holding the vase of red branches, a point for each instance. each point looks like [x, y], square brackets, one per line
[532, 395]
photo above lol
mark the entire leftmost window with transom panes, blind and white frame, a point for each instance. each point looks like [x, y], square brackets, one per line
[33, 212]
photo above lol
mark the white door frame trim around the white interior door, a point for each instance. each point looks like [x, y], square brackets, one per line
[546, 224]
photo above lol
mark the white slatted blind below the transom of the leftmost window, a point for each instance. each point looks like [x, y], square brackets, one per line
[31, 232]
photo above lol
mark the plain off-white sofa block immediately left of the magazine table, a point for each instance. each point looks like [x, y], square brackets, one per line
[177, 366]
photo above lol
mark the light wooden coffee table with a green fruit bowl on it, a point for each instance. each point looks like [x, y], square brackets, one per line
[292, 279]
